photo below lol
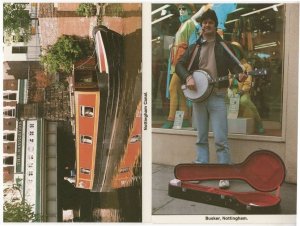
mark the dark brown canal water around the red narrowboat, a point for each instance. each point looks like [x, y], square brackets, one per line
[122, 203]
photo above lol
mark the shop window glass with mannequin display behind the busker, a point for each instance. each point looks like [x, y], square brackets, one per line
[256, 32]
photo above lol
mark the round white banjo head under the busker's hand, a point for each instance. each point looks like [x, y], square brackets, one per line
[203, 87]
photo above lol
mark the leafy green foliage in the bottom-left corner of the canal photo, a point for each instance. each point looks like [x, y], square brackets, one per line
[19, 212]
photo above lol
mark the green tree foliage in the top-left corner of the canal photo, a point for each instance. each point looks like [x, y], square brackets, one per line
[16, 21]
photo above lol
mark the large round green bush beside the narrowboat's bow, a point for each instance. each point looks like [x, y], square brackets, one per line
[64, 53]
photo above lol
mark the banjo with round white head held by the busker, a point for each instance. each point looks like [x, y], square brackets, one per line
[205, 84]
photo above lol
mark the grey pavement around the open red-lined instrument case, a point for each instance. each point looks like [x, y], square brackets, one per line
[162, 204]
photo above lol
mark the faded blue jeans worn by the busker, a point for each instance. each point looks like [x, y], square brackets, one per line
[213, 109]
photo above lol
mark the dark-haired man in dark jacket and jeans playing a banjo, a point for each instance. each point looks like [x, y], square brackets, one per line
[212, 57]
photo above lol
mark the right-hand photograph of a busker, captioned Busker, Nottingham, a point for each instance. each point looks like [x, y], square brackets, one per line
[224, 109]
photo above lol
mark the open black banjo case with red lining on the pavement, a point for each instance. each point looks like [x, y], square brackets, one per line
[263, 170]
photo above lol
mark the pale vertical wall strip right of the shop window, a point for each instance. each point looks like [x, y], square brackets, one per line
[291, 89]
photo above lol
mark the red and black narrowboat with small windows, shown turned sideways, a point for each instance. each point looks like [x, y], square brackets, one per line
[96, 84]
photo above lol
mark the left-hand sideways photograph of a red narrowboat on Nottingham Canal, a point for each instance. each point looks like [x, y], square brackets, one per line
[72, 85]
